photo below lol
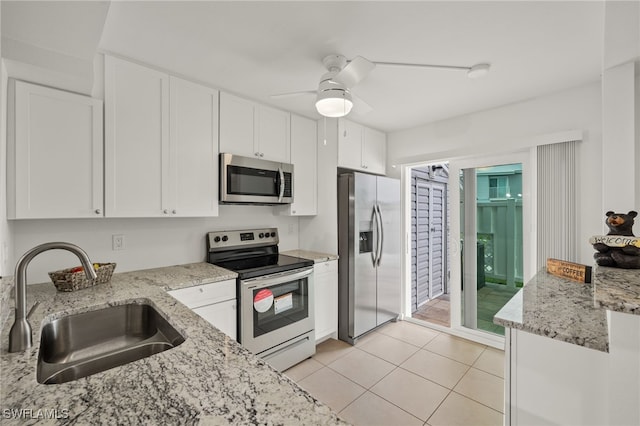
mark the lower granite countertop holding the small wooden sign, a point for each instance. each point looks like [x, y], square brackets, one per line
[557, 308]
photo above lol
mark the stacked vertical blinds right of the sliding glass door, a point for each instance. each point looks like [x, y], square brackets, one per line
[557, 203]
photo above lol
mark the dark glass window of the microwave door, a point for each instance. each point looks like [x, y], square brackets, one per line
[249, 181]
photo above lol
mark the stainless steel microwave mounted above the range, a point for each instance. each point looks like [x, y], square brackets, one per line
[245, 180]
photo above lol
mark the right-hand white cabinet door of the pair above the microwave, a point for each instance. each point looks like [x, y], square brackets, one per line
[273, 134]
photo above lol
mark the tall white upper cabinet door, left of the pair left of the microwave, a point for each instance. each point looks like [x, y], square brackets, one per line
[136, 140]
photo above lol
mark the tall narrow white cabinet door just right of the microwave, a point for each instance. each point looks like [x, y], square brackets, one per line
[304, 143]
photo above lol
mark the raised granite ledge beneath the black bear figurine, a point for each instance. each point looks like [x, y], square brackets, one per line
[617, 289]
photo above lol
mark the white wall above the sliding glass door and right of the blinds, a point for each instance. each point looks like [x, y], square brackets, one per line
[515, 127]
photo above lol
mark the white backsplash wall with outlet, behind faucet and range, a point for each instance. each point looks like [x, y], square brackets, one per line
[148, 242]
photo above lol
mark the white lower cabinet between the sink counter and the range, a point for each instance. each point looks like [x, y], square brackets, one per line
[215, 302]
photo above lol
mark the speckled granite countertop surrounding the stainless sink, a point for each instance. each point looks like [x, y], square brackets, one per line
[208, 379]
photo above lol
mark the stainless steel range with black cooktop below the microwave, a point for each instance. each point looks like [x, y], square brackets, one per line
[275, 294]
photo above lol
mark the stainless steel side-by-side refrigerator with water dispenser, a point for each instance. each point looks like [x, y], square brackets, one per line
[369, 241]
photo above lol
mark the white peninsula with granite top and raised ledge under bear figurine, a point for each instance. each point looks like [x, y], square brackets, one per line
[572, 350]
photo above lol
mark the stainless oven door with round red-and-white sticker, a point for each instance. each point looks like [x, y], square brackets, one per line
[276, 308]
